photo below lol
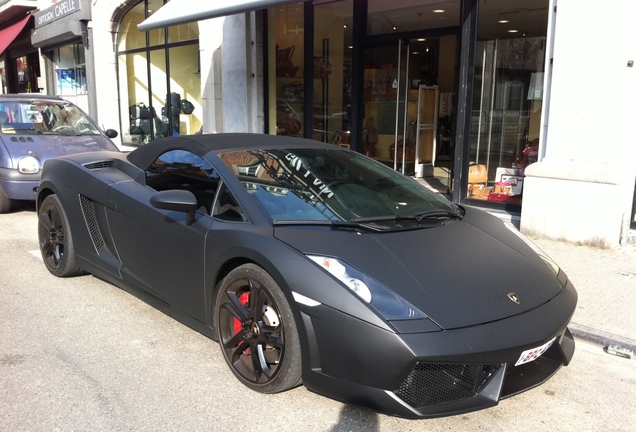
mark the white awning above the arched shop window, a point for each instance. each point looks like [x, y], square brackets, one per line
[184, 11]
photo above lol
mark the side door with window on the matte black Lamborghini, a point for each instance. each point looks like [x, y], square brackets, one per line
[159, 251]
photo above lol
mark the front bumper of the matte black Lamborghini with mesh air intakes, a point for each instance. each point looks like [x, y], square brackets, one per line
[439, 373]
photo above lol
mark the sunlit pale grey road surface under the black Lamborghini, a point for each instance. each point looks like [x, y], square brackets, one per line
[79, 354]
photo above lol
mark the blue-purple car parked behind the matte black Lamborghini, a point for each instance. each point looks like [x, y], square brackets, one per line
[33, 128]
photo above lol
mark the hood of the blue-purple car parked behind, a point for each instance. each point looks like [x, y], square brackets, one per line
[45, 147]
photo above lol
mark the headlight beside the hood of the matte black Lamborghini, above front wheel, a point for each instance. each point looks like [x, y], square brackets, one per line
[390, 305]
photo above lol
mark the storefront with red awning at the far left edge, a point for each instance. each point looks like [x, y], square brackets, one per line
[19, 60]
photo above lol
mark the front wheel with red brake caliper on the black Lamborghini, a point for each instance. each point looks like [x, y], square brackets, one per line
[253, 316]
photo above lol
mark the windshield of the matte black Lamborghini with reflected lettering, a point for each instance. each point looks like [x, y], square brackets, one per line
[296, 185]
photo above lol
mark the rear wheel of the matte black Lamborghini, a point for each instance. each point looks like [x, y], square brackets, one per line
[56, 241]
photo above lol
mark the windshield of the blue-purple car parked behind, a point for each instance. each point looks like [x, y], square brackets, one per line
[45, 117]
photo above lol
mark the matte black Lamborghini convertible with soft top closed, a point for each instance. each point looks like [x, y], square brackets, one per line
[312, 264]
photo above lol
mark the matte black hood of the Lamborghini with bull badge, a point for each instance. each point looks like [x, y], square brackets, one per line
[459, 274]
